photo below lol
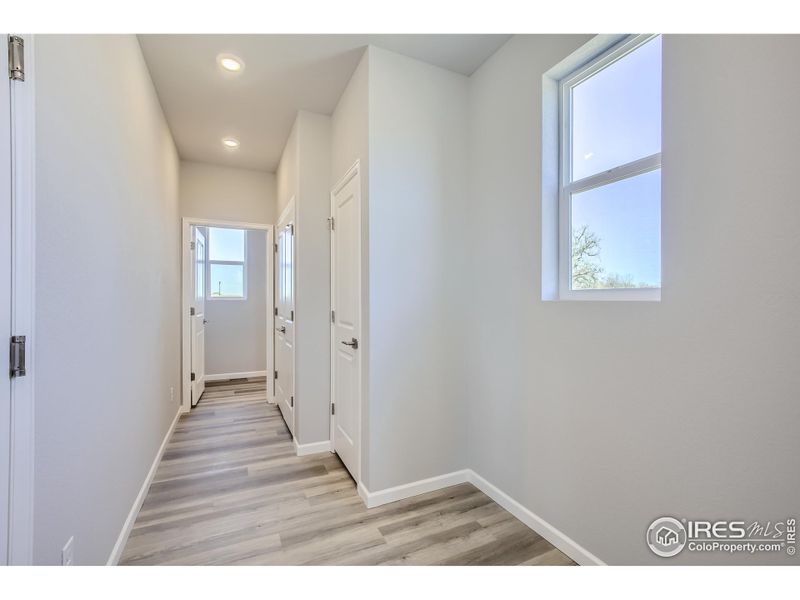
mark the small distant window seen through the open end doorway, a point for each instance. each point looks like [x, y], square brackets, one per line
[226, 263]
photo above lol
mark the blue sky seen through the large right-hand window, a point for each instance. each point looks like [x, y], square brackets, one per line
[616, 119]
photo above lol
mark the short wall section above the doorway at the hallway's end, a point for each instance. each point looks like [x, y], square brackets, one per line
[226, 193]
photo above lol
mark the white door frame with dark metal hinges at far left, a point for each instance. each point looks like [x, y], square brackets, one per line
[23, 224]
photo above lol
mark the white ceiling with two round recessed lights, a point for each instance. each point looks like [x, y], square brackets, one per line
[282, 74]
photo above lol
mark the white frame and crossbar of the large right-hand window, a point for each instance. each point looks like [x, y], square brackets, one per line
[567, 187]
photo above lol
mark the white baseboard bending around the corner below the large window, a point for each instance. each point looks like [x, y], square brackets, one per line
[552, 534]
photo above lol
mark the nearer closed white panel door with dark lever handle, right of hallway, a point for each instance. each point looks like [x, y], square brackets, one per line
[346, 326]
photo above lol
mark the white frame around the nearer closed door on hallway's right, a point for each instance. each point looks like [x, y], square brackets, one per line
[353, 171]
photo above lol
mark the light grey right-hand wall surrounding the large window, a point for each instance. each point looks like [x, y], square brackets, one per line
[601, 416]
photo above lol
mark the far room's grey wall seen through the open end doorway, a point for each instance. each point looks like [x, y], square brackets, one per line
[236, 332]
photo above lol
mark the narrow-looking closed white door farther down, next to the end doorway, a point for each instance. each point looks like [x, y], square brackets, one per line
[284, 318]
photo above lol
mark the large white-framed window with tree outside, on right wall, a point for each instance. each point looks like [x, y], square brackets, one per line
[609, 217]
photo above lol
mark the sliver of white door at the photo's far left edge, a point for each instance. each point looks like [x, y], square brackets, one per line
[5, 302]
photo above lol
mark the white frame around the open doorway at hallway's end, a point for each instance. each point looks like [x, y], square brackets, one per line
[186, 300]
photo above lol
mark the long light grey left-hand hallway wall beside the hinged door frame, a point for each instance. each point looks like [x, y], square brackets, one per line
[108, 285]
